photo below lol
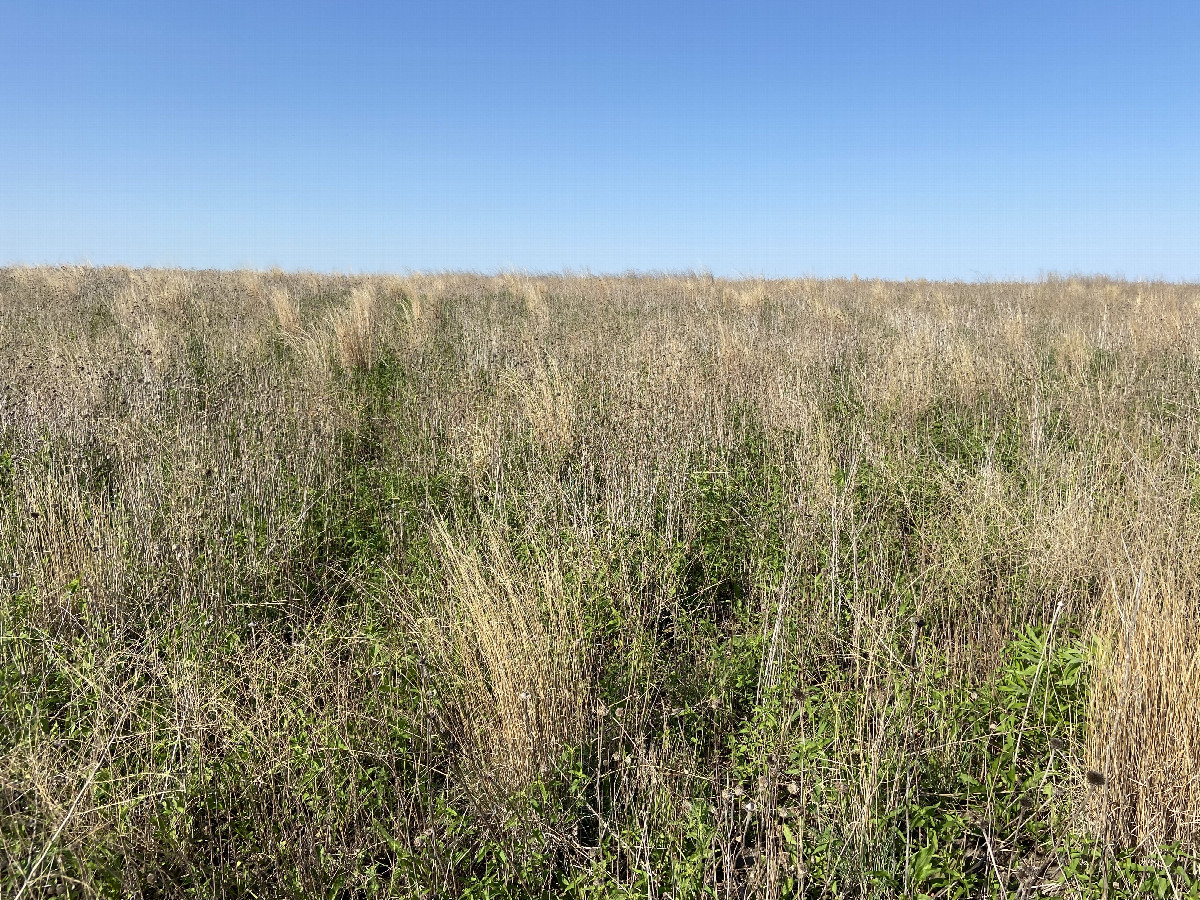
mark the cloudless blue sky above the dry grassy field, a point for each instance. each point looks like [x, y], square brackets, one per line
[902, 140]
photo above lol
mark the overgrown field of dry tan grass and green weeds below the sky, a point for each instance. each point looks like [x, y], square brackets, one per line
[597, 587]
